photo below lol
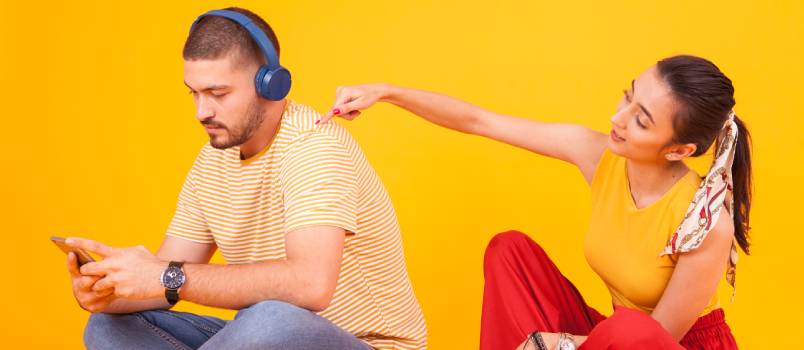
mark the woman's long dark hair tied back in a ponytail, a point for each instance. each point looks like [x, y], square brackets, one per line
[705, 98]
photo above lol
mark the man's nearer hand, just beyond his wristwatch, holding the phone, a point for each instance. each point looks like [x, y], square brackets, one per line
[132, 273]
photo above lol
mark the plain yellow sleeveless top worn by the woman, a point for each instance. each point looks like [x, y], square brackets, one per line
[623, 242]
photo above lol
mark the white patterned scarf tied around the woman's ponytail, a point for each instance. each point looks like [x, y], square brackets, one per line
[714, 194]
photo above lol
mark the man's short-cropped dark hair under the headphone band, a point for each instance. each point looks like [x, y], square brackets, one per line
[215, 37]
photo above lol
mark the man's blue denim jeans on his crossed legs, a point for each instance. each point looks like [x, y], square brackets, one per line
[265, 325]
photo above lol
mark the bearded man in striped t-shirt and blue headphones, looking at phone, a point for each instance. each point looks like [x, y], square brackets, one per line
[313, 249]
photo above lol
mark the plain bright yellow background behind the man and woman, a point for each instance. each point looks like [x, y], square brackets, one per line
[98, 133]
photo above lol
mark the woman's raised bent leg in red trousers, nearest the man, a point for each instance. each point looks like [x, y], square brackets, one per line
[525, 292]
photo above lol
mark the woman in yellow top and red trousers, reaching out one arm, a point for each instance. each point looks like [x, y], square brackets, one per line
[656, 237]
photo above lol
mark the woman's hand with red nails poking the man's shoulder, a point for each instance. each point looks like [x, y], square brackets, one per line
[350, 100]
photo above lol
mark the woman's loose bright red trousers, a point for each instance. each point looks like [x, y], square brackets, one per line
[525, 292]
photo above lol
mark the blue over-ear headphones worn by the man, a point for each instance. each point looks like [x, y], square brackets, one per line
[272, 80]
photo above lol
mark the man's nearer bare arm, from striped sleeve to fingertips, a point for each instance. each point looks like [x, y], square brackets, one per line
[307, 277]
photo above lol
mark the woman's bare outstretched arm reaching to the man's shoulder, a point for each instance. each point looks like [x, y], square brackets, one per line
[572, 143]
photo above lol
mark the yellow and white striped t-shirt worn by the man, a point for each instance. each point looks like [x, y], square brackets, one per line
[311, 175]
